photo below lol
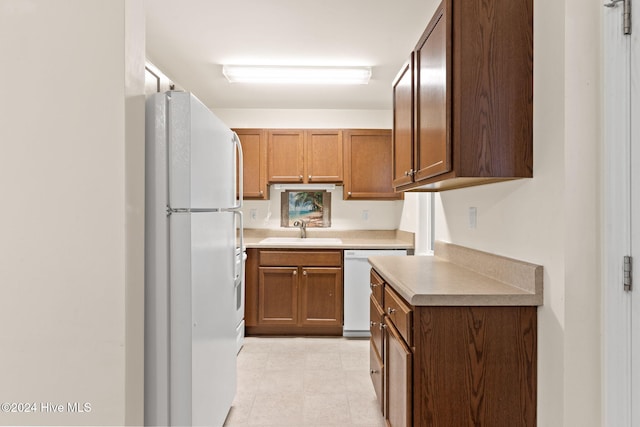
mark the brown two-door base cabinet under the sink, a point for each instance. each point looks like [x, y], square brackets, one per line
[294, 292]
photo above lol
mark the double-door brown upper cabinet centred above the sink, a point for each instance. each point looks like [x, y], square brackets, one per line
[304, 156]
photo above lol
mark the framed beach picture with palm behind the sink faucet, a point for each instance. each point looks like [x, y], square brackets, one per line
[312, 207]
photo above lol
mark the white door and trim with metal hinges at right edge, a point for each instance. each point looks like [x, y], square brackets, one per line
[622, 219]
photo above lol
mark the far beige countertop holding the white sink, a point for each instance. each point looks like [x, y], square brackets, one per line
[350, 239]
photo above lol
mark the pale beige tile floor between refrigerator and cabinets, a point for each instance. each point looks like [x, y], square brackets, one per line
[304, 382]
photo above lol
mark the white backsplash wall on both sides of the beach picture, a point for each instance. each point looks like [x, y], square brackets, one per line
[345, 215]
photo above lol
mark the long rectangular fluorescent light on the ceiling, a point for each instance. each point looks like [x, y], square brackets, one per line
[296, 75]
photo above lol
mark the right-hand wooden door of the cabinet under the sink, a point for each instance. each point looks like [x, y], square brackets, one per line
[321, 296]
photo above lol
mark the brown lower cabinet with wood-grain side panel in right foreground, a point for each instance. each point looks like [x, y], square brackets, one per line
[466, 366]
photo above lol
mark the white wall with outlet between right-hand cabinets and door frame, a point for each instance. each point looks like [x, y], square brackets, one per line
[554, 218]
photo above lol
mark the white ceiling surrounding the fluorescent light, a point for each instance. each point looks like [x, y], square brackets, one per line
[189, 40]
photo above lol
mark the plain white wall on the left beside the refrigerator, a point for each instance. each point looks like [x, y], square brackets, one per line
[69, 255]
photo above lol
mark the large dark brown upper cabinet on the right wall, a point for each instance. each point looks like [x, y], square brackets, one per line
[463, 103]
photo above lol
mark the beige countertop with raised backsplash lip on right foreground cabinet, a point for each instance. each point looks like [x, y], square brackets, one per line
[458, 276]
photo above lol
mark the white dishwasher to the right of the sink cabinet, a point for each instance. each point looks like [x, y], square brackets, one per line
[357, 290]
